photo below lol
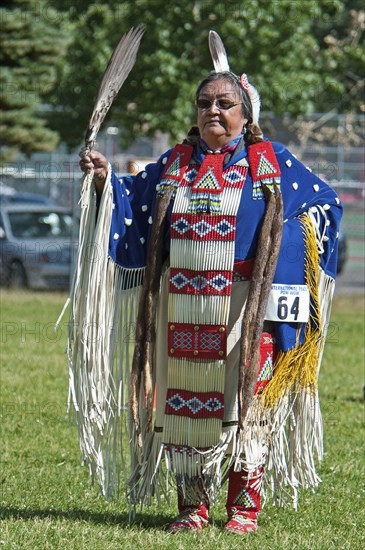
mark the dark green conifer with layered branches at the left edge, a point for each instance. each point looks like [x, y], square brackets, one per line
[31, 45]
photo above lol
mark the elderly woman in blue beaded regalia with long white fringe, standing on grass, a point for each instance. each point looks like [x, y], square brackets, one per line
[228, 244]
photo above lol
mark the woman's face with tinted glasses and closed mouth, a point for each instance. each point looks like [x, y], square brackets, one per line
[219, 126]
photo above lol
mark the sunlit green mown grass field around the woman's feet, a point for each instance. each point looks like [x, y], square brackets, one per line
[47, 502]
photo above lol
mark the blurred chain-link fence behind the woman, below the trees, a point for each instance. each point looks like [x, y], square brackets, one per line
[331, 145]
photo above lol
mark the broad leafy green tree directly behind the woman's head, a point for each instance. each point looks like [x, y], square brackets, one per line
[273, 41]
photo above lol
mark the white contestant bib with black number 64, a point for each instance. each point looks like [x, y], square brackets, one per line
[288, 303]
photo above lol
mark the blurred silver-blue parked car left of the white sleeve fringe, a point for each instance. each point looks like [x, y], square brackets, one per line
[37, 245]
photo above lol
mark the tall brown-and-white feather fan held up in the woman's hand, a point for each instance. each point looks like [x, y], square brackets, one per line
[118, 69]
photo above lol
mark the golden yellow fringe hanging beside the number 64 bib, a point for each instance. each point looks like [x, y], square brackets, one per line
[299, 365]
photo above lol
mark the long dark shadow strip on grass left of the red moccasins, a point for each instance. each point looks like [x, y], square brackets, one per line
[146, 521]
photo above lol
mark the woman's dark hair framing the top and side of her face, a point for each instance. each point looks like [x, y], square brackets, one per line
[253, 131]
